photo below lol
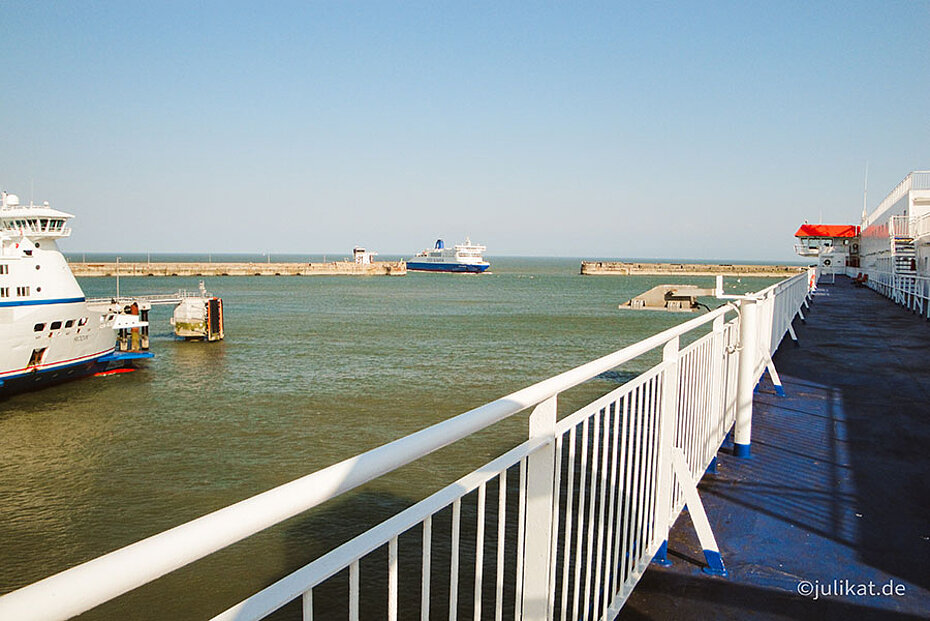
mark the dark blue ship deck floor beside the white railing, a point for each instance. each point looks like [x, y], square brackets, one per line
[838, 485]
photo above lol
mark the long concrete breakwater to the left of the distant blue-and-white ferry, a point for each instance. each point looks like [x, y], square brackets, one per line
[331, 268]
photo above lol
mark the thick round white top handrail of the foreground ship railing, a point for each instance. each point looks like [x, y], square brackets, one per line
[94, 582]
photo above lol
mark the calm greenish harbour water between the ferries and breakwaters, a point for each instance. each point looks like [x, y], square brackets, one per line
[313, 370]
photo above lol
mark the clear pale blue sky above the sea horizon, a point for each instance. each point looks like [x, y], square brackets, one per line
[693, 129]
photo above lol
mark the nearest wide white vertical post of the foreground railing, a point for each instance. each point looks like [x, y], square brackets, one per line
[540, 479]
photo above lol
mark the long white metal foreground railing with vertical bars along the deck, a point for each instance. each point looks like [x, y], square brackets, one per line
[581, 508]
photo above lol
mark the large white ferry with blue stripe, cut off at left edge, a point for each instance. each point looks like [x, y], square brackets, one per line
[48, 332]
